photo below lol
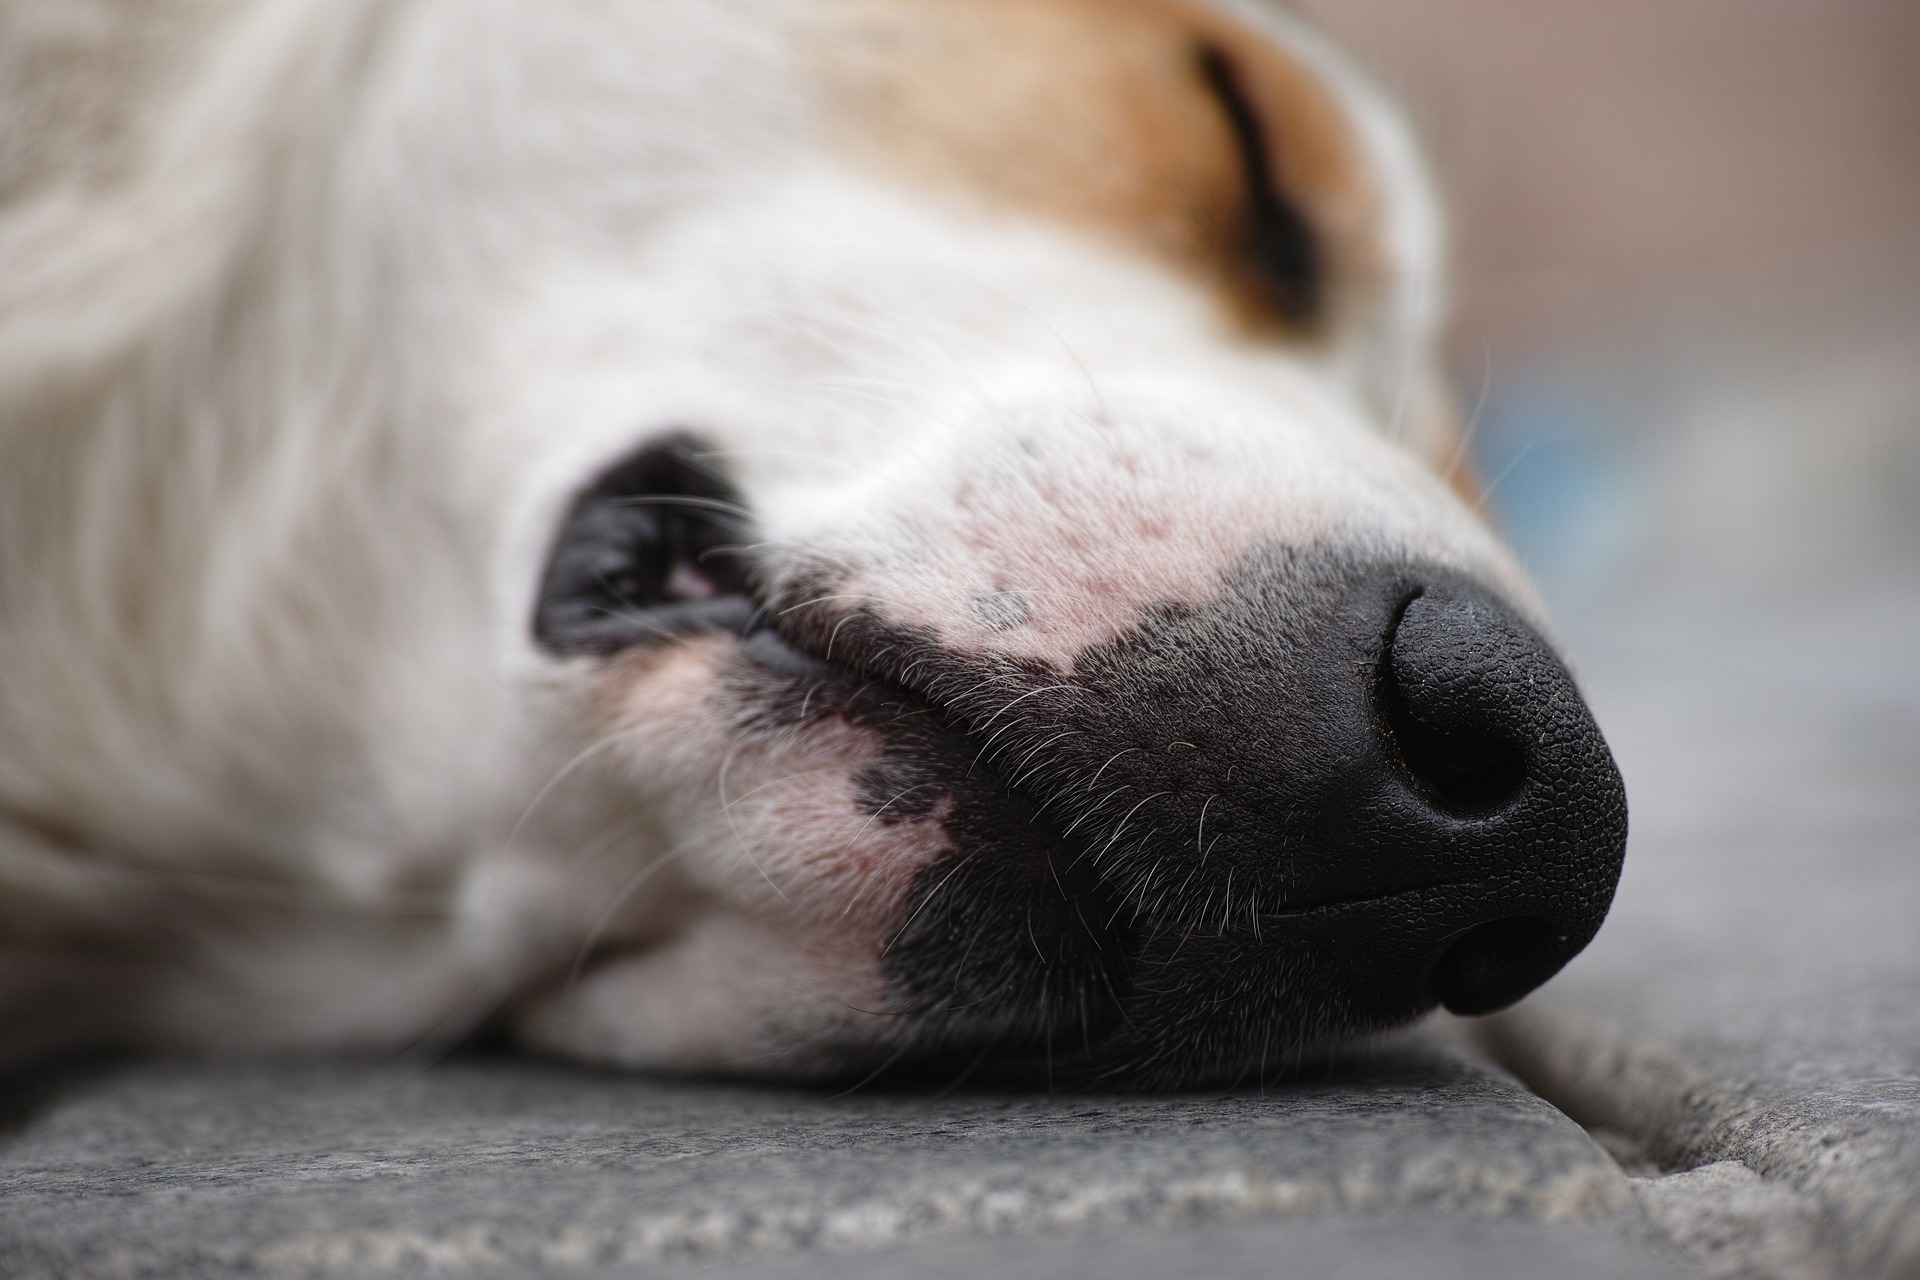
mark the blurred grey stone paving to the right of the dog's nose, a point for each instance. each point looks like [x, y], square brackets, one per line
[1752, 1010]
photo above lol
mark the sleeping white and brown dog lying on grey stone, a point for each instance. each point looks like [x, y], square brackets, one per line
[777, 538]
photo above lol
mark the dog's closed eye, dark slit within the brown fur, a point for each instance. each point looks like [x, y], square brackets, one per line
[1276, 235]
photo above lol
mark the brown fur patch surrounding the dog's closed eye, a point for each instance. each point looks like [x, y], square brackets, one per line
[1099, 114]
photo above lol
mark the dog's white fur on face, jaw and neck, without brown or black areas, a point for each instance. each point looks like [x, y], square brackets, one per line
[295, 394]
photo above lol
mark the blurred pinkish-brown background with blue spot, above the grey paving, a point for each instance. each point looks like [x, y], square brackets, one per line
[1687, 277]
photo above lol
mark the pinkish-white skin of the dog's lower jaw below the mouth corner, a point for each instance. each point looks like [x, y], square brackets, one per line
[800, 882]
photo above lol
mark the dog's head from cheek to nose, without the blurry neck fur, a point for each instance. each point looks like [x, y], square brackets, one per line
[994, 529]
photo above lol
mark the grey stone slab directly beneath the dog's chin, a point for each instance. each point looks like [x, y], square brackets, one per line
[364, 1170]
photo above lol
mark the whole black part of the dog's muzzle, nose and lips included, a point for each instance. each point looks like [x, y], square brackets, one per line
[1337, 797]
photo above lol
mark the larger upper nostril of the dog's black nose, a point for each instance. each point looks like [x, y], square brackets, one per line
[1462, 767]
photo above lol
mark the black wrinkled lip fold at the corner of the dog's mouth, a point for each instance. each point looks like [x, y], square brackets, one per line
[648, 552]
